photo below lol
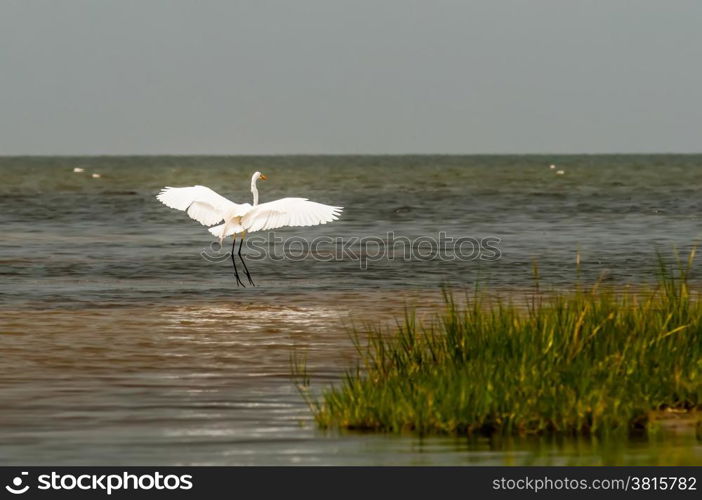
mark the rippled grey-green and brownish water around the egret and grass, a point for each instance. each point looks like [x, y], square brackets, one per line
[121, 344]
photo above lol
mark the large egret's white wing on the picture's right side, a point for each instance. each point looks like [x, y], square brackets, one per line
[288, 212]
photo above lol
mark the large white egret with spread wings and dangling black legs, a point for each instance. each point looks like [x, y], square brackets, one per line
[237, 219]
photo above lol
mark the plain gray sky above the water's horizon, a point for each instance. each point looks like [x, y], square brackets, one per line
[356, 76]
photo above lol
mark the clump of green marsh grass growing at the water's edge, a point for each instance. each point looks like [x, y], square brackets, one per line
[594, 360]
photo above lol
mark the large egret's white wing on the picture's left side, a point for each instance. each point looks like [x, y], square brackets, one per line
[201, 203]
